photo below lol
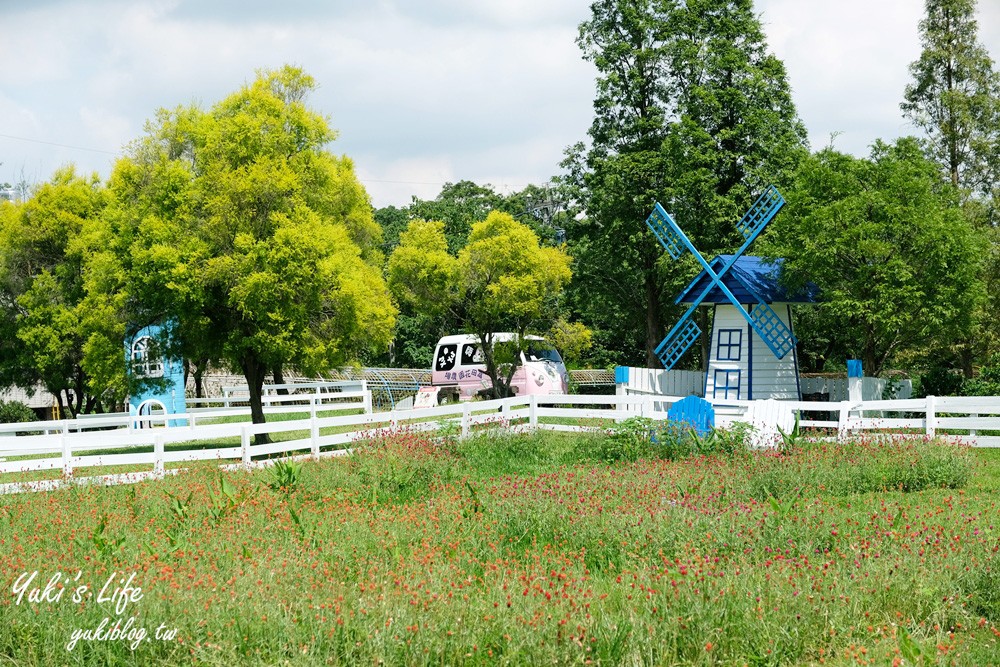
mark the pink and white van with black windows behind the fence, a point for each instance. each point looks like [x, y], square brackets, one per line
[459, 372]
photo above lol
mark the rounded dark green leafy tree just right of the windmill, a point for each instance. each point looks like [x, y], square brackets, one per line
[885, 240]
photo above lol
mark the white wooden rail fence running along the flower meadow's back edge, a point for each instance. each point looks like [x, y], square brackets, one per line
[75, 446]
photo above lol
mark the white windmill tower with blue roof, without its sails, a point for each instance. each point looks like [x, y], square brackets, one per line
[741, 365]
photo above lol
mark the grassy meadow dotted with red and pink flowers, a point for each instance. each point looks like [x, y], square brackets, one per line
[518, 549]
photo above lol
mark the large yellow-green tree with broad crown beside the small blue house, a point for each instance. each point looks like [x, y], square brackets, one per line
[237, 224]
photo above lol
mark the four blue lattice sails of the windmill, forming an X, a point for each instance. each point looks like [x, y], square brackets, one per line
[764, 321]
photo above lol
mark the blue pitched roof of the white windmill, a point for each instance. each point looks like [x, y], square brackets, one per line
[751, 279]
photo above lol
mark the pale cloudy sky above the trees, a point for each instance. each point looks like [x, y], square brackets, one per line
[422, 93]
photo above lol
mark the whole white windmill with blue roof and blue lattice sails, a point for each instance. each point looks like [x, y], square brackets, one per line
[751, 340]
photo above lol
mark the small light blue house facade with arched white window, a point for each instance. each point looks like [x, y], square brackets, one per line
[145, 361]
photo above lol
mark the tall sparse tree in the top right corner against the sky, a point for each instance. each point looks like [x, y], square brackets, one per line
[955, 95]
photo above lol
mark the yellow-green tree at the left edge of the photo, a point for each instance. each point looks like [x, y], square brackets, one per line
[44, 321]
